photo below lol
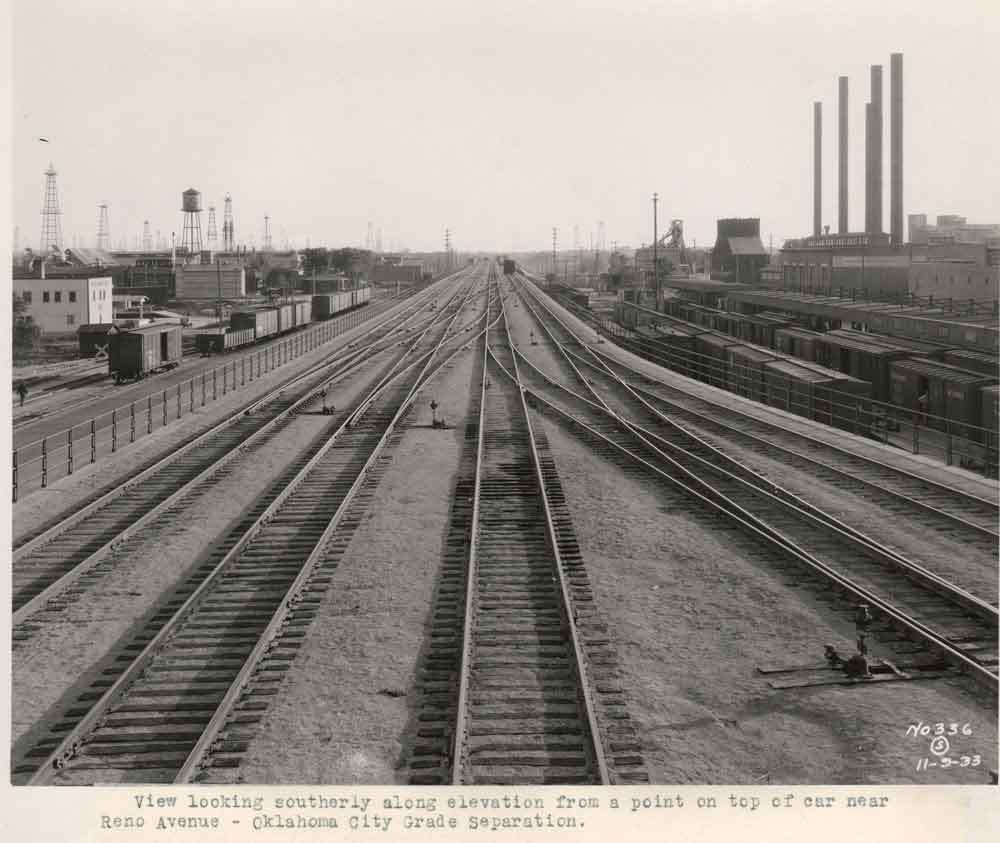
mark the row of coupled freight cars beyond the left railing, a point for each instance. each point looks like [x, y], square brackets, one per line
[253, 324]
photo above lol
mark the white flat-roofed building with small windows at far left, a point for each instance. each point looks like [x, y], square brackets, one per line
[61, 304]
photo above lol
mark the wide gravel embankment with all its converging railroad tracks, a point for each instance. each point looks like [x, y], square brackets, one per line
[475, 539]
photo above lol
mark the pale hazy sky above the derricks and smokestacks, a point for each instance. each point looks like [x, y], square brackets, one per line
[498, 120]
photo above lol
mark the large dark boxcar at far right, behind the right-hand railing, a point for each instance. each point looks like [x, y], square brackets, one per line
[954, 395]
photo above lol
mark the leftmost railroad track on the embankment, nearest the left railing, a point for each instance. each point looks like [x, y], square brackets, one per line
[52, 567]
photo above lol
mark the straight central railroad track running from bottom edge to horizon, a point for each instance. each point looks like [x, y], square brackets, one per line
[532, 691]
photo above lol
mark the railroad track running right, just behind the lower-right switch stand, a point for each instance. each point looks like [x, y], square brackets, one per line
[952, 626]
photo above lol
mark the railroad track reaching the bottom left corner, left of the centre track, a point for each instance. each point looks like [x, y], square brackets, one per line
[179, 700]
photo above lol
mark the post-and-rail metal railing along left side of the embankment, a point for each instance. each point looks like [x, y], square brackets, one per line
[38, 463]
